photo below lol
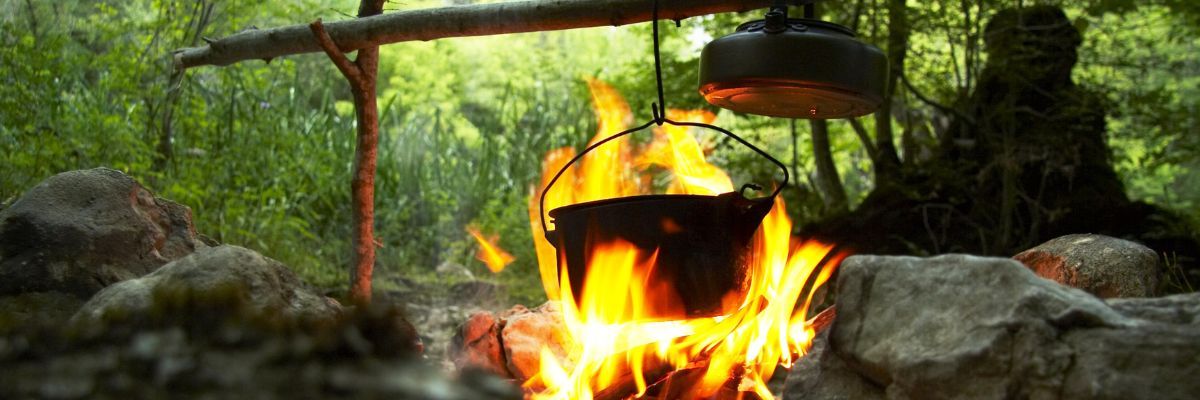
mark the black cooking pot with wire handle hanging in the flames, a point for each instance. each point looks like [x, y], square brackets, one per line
[703, 243]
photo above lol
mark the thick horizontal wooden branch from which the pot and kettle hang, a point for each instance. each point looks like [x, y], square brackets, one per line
[429, 25]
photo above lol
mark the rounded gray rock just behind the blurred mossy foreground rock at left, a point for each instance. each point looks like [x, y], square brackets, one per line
[267, 285]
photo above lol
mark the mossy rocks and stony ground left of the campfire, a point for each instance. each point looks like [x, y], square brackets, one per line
[107, 291]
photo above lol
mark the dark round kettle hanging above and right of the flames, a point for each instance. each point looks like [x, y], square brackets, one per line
[794, 68]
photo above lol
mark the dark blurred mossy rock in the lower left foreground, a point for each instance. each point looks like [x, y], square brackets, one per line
[260, 362]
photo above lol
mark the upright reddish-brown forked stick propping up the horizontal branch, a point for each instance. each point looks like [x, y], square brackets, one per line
[362, 76]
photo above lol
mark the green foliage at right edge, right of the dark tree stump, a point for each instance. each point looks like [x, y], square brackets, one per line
[1144, 63]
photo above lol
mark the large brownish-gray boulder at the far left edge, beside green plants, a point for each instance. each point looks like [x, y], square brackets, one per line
[81, 231]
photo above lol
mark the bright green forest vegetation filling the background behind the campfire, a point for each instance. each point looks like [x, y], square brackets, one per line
[262, 153]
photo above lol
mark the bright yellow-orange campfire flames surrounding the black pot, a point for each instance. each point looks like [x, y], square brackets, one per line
[739, 351]
